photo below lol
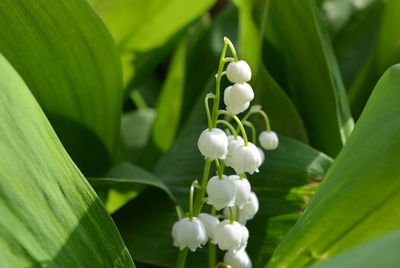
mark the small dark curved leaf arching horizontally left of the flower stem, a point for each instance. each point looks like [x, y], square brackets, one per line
[127, 175]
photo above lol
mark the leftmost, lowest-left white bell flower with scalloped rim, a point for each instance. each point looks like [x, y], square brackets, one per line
[189, 233]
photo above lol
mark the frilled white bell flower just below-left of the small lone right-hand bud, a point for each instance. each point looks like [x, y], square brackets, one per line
[246, 159]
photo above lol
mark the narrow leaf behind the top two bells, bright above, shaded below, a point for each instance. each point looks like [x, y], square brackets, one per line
[283, 115]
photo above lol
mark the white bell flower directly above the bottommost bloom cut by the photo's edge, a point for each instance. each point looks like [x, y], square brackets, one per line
[228, 235]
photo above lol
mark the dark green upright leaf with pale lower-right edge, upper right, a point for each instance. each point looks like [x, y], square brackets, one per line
[295, 38]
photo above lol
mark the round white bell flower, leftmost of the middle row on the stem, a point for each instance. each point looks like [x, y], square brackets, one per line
[213, 144]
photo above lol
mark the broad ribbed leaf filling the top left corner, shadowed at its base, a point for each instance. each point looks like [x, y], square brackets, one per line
[68, 60]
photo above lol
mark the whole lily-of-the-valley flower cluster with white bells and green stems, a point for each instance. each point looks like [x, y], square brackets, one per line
[230, 194]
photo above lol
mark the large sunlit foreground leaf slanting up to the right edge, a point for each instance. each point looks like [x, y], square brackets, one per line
[358, 199]
